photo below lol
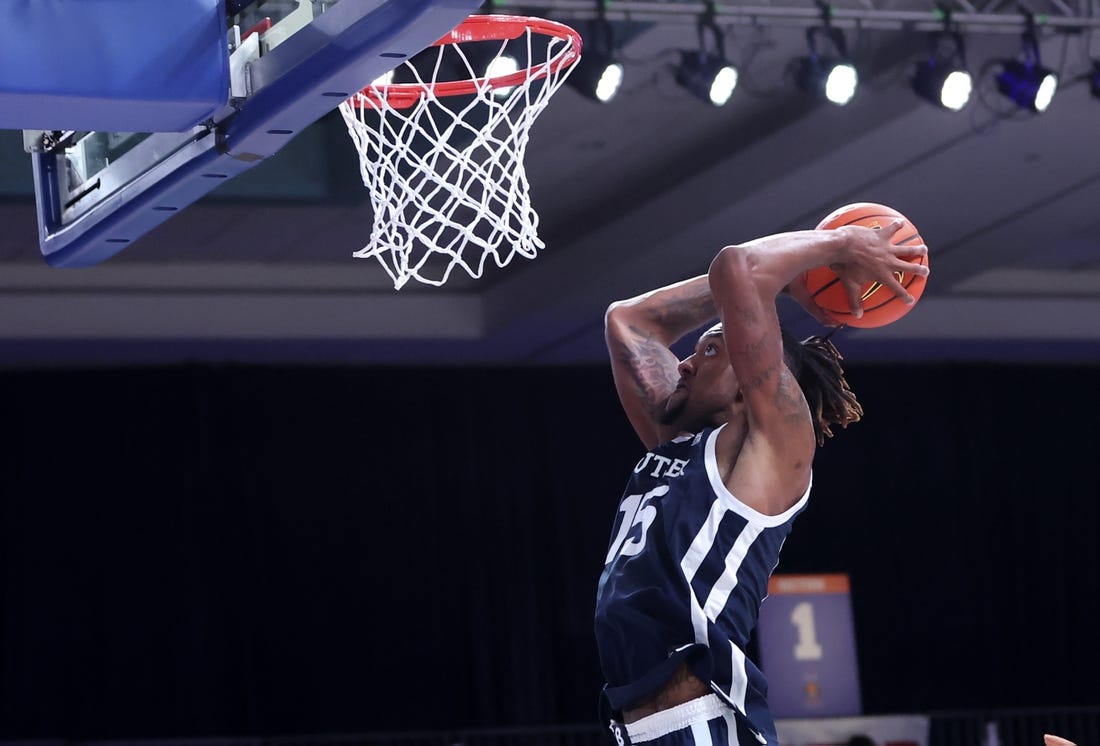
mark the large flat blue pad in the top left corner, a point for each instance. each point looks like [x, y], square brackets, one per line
[113, 65]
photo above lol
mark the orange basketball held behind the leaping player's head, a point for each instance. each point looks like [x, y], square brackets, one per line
[881, 305]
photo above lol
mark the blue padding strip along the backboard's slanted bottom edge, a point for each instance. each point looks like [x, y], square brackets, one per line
[298, 83]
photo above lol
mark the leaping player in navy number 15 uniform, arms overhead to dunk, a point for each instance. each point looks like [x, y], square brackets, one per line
[731, 434]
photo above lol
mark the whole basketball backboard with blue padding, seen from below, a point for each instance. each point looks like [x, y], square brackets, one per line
[202, 100]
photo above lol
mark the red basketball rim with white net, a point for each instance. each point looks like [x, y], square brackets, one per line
[446, 178]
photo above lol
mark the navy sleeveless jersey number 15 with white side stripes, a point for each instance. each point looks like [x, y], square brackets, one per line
[686, 574]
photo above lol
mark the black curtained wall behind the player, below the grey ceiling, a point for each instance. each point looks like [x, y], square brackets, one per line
[201, 552]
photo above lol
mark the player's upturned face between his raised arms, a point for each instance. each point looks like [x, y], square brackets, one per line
[707, 389]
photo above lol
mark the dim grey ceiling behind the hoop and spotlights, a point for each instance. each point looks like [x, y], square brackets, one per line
[634, 194]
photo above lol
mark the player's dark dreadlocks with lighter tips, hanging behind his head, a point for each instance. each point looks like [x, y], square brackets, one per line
[816, 364]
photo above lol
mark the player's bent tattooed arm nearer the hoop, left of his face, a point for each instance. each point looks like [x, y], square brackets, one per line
[640, 333]
